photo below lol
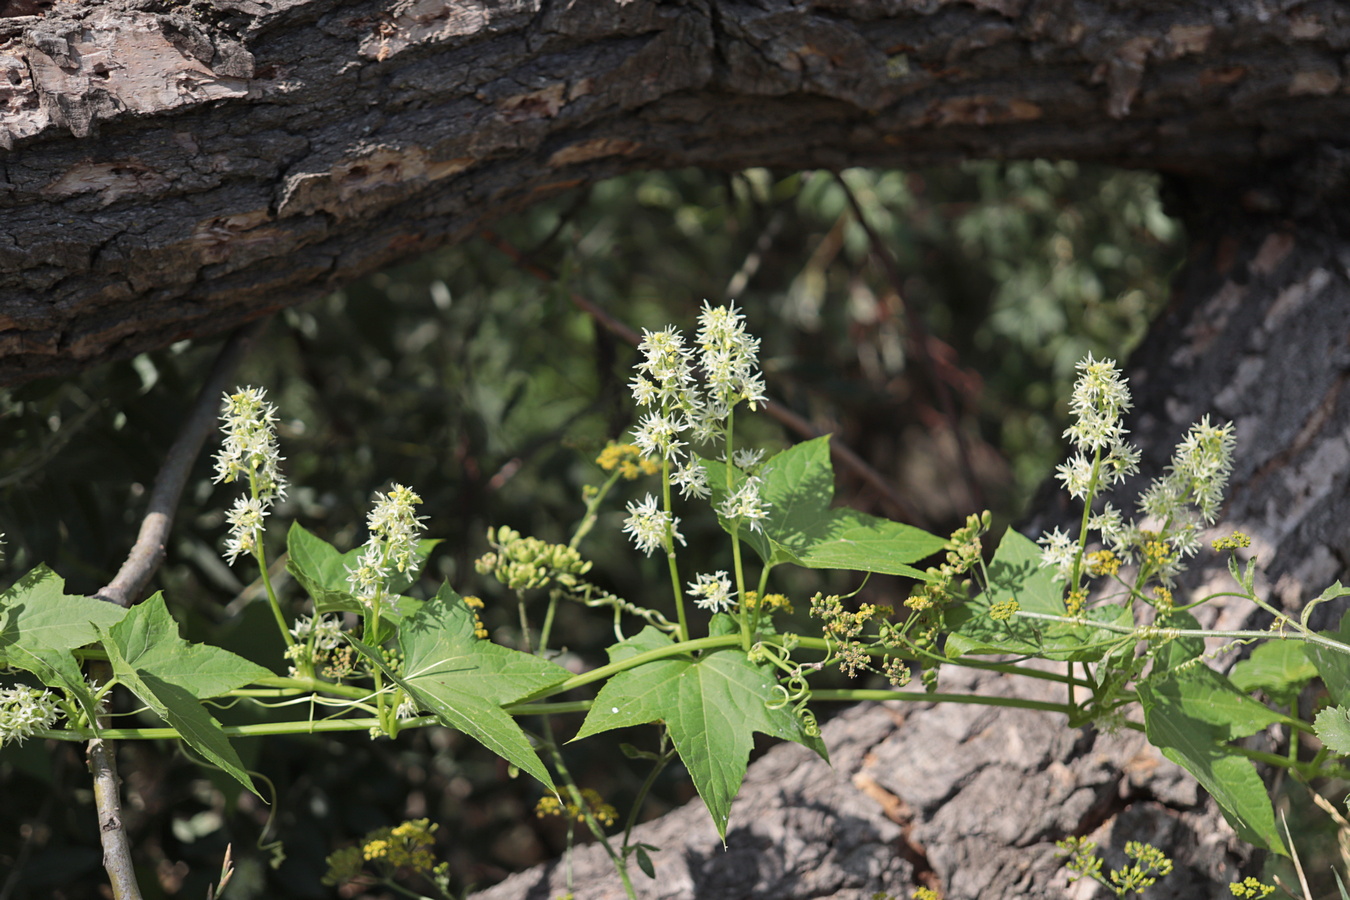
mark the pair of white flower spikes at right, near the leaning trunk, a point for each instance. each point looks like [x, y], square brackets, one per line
[1177, 504]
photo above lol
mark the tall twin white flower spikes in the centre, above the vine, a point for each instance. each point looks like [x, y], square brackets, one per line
[681, 407]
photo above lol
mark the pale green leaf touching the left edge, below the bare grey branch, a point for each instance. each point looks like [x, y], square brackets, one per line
[37, 613]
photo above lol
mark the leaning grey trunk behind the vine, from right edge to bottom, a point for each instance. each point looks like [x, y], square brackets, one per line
[970, 799]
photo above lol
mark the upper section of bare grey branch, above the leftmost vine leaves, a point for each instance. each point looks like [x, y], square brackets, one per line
[149, 550]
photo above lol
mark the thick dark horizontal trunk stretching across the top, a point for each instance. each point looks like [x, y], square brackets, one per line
[175, 169]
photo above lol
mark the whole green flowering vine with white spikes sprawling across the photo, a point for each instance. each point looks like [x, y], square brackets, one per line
[375, 659]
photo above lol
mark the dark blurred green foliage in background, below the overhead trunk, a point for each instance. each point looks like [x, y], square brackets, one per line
[483, 387]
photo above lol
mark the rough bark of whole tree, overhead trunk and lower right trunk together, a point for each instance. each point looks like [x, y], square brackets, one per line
[173, 169]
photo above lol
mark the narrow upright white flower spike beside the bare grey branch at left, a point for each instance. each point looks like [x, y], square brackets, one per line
[249, 453]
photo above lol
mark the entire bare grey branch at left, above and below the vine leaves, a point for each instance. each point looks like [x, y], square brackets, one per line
[142, 562]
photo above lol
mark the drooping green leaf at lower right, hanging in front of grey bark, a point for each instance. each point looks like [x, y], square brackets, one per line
[1190, 717]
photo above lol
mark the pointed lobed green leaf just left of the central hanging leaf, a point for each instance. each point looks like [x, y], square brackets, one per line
[465, 681]
